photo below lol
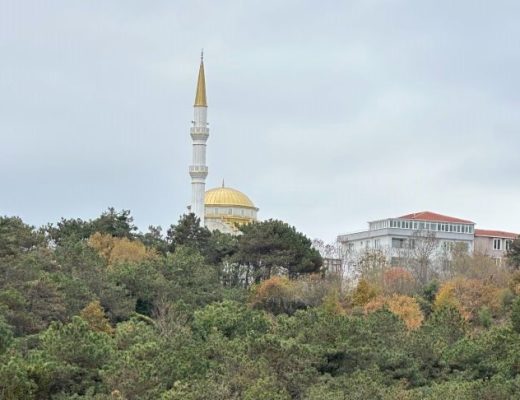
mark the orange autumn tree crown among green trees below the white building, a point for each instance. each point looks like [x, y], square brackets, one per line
[405, 307]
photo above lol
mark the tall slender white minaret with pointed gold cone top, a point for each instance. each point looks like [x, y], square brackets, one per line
[199, 133]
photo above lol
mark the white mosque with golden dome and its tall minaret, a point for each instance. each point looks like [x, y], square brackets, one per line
[222, 208]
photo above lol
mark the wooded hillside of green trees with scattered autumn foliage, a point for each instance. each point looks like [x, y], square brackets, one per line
[96, 309]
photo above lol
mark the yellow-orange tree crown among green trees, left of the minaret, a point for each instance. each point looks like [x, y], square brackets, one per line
[117, 250]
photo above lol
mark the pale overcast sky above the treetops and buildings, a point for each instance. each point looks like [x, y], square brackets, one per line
[326, 114]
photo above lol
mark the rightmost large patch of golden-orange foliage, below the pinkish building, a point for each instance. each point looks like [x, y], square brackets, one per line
[468, 296]
